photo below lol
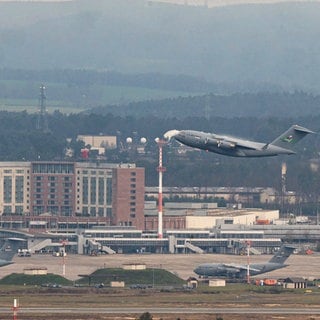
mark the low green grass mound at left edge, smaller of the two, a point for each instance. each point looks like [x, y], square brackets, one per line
[24, 279]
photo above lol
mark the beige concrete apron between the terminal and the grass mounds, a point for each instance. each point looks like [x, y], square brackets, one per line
[180, 264]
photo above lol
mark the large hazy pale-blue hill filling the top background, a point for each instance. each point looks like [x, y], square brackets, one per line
[266, 46]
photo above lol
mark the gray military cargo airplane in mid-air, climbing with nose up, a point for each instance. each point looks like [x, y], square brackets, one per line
[237, 147]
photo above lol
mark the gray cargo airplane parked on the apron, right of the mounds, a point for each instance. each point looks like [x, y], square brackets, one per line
[232, 270]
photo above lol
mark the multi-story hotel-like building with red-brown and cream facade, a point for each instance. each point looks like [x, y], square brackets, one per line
[110, 192]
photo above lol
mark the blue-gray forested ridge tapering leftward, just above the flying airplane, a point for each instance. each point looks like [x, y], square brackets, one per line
[260, 105]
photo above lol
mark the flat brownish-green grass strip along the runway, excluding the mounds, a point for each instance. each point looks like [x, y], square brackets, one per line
[231, 296]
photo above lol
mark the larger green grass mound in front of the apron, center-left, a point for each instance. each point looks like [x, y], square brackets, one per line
[156, 277]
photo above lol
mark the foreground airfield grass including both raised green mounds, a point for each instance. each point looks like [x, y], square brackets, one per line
[168, 291]
